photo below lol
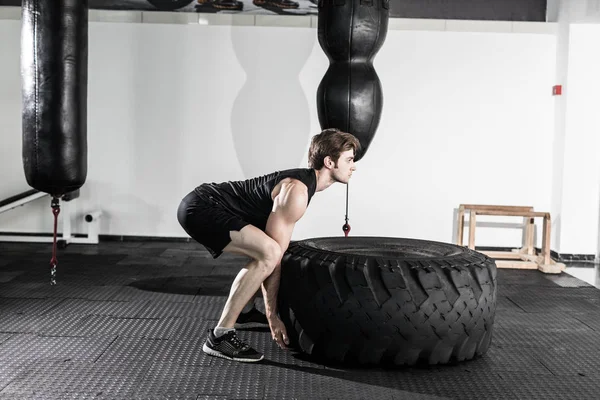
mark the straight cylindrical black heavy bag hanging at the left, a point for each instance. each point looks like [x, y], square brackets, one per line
[54, 57]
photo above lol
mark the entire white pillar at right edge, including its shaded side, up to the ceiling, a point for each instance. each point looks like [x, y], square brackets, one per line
[576, 169]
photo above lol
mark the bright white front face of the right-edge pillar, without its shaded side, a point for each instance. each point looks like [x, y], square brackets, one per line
[581, 179]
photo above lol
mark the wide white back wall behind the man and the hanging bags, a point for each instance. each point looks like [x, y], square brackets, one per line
[467, 119]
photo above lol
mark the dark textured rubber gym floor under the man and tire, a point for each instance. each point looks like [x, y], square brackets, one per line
[127, 320]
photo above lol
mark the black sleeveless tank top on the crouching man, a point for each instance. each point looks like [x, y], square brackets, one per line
[251, 199]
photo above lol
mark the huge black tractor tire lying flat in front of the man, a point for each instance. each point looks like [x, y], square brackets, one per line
[374, 300]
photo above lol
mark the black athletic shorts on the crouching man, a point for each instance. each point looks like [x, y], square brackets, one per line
[207, 222]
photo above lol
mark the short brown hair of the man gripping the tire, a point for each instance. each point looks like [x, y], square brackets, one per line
[330, 142]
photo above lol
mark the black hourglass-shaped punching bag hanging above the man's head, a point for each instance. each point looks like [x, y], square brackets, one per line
[349, 97]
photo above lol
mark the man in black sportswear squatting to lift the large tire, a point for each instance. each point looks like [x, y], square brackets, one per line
[256, 218]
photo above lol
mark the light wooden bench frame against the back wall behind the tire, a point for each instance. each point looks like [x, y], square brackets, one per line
[523, 258]
